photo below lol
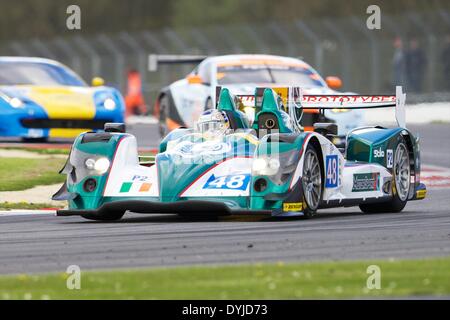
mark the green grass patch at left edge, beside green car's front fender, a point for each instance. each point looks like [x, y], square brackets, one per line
[21, 174]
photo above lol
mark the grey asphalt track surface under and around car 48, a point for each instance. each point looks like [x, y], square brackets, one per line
[45, 243]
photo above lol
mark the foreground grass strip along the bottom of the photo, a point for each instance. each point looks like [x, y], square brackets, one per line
[399, 278]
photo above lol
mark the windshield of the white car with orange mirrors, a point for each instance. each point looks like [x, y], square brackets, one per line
[286, 75]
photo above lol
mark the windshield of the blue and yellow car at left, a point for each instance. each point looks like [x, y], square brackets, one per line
[33, 73]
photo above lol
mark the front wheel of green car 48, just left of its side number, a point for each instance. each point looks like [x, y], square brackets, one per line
[311, 182]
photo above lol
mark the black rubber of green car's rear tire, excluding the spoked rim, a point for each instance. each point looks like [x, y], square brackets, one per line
[398, 202]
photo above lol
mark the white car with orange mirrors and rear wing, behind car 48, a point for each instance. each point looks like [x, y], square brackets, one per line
[180, 103]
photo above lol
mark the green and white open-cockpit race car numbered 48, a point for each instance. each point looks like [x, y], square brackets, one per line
[224, 166]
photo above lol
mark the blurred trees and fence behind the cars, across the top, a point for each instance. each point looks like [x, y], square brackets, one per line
[411, 49]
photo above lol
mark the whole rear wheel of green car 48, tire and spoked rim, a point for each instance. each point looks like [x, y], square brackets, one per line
[400, 186]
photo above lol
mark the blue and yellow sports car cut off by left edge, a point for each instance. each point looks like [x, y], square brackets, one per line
[41, 99]
